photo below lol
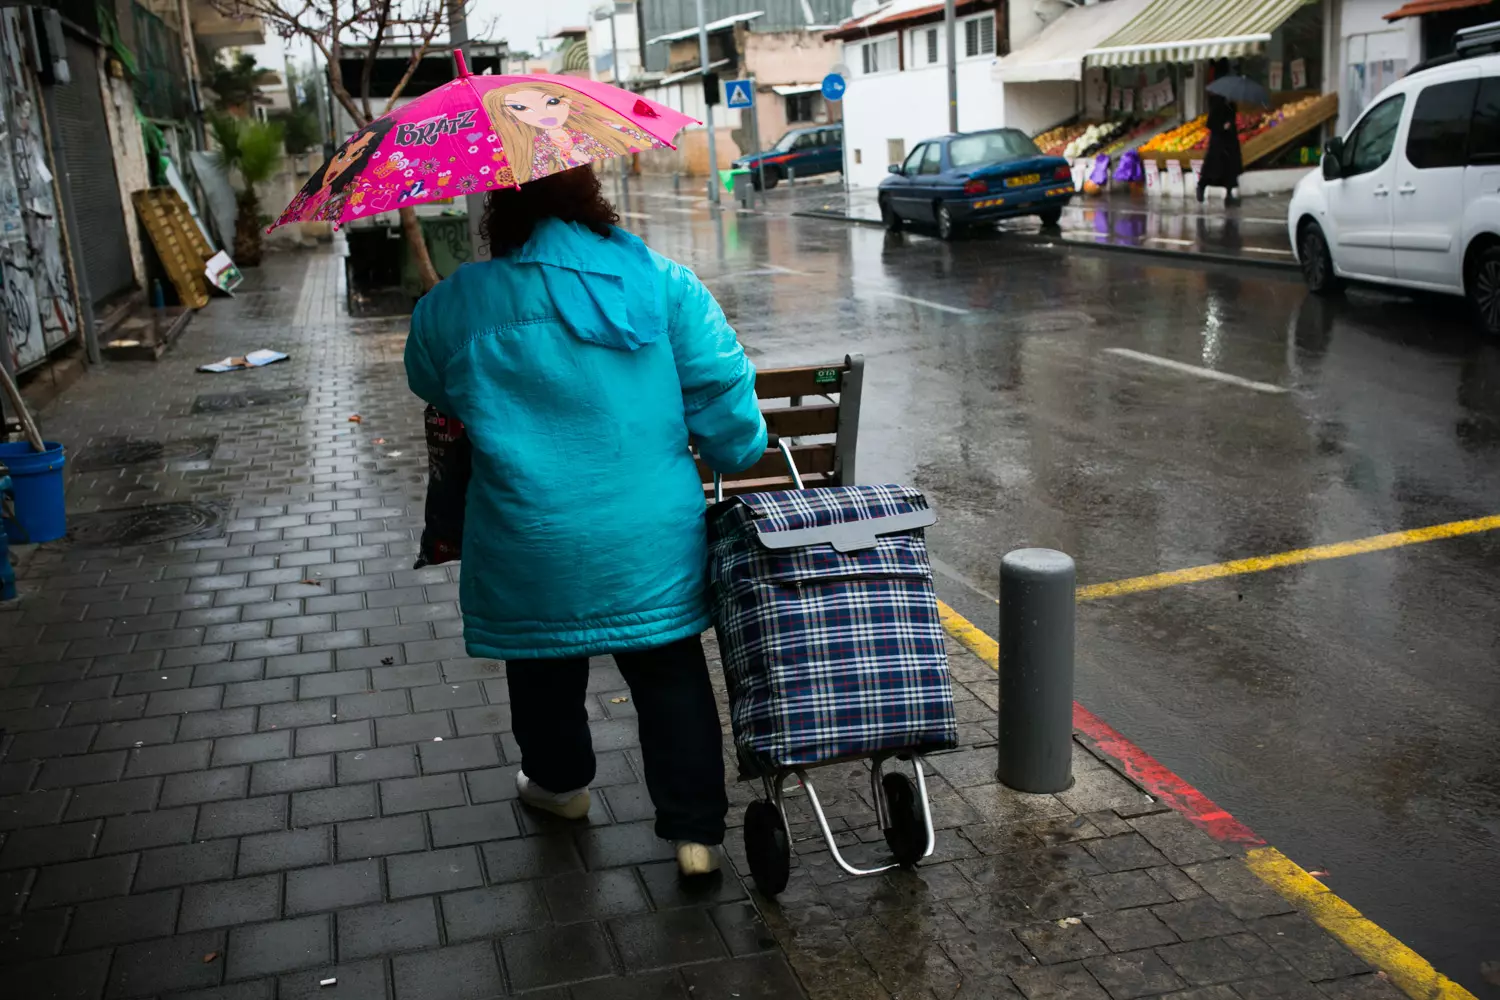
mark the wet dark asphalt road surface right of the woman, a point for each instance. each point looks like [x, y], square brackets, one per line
[1348, 711]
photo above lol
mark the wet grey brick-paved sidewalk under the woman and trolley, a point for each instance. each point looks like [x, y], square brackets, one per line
[245, 753]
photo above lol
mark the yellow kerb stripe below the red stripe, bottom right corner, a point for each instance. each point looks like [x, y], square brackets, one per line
[1363, 936]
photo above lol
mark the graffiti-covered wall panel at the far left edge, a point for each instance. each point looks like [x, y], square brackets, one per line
[38, 301]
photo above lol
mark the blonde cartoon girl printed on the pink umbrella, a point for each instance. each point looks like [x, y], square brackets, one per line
[548, 128]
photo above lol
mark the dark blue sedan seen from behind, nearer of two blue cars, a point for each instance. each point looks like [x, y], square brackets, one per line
[959, 182]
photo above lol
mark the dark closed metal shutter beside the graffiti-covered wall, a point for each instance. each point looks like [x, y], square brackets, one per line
[85, 139]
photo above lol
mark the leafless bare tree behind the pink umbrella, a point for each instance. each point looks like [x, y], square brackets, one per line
[361, 29]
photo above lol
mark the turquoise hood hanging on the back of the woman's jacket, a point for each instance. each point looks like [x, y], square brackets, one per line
[599, 286]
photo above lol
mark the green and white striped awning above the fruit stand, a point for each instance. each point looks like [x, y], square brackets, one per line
[1189, 31]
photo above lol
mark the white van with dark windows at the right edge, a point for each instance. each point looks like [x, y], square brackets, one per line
[1411, 196]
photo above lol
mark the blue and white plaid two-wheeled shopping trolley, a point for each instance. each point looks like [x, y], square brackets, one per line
[833, 651]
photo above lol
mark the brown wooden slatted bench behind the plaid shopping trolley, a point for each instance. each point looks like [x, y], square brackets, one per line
[817, 409]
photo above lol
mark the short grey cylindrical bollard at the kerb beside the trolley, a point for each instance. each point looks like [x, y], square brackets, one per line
[1037, 608]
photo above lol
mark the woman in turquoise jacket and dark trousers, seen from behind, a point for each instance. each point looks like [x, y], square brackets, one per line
[583, 364]
